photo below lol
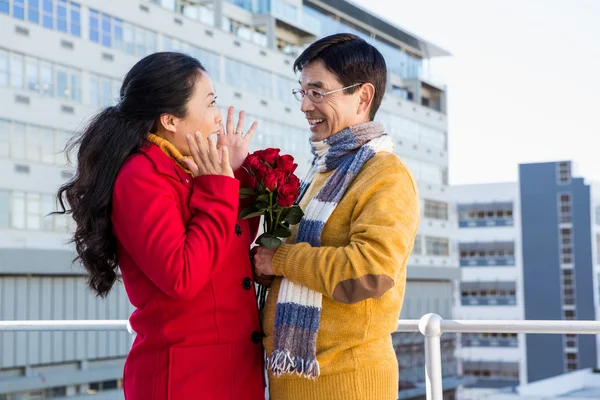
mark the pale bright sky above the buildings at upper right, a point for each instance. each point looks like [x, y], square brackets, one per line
[523, 80]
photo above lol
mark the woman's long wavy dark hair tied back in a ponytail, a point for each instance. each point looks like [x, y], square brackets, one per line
[161, 83]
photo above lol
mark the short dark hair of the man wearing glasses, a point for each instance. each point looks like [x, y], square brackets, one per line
[352, 60]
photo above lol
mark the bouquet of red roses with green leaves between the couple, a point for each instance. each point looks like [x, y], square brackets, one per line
[274, 190]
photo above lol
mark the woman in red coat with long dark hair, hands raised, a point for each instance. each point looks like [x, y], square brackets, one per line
[162, 206]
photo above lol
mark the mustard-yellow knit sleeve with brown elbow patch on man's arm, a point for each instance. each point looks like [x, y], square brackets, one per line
[382, 231]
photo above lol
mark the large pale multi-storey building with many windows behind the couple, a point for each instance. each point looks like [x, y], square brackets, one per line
[61, 60]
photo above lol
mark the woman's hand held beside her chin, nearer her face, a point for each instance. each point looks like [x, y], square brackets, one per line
[207, 158]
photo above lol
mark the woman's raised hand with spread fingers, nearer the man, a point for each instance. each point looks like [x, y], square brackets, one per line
[236, 141]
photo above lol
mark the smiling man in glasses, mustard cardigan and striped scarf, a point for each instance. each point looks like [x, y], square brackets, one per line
[339, 280]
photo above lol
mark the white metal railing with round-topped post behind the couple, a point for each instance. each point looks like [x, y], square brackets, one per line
[432, 326]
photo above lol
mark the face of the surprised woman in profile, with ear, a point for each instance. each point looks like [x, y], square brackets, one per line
[202, 116]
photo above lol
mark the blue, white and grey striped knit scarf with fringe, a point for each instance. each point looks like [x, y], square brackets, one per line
[298, 311]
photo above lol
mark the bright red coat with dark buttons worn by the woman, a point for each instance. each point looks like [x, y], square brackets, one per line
[184, 256]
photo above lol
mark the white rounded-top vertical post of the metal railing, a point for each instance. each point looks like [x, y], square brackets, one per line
[430, 326]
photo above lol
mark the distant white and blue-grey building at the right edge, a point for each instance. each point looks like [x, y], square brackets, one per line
[528, 250]
